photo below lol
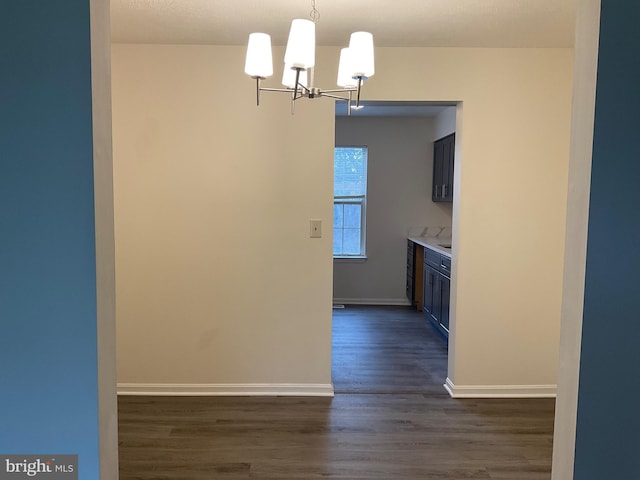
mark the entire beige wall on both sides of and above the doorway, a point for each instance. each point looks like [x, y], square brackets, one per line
[217, 280]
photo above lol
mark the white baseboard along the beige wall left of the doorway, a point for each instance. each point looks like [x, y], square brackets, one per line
[228, 390]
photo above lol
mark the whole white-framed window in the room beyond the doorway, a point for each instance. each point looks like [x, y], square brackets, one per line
[349, 201]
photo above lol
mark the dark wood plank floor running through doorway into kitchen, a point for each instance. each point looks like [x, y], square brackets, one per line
[390, 419]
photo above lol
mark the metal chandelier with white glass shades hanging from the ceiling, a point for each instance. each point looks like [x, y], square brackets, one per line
[355, 66]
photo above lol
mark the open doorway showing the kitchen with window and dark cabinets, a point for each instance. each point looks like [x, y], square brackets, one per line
[384, 283]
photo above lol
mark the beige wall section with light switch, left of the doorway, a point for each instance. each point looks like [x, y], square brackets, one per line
[218, 281]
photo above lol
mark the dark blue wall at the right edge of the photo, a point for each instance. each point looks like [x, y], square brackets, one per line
[608, 429]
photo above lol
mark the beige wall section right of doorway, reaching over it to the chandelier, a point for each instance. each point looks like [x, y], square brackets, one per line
[511, 188]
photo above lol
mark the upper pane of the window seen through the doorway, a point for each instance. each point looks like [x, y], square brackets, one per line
[350, 171]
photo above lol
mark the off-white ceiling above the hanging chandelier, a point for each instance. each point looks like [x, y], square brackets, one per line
[398, 23]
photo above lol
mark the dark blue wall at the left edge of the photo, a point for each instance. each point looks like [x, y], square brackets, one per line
[48, 367]
